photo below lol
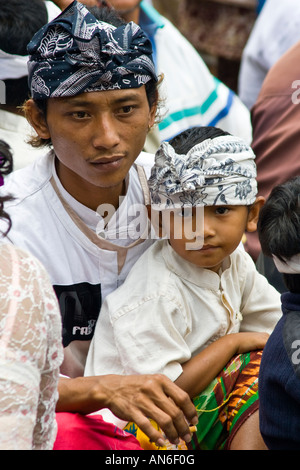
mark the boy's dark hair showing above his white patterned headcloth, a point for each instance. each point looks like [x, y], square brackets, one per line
[187, 139]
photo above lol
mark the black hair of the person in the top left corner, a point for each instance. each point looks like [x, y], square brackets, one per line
[19, 21]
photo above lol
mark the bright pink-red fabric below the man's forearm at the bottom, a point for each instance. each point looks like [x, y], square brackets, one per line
[91, 432]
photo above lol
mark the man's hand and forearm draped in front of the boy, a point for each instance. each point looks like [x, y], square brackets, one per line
[133, 398]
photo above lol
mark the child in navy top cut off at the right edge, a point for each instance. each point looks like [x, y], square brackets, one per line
[279, 377]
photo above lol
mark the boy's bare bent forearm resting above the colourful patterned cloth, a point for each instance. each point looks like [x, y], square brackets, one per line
[200, 371]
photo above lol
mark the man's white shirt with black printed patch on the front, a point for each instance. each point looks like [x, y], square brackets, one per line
[60, 232]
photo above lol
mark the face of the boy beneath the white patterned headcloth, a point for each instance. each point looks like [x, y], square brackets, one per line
[221, 231]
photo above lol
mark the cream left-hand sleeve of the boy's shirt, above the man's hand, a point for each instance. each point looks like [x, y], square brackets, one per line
[146, 338]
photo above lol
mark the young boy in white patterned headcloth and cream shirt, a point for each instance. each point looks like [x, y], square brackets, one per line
[192, 303]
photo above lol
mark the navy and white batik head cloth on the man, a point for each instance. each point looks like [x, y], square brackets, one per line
[75, 53]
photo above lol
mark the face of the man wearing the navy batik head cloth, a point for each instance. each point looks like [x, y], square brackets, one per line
[97, 136]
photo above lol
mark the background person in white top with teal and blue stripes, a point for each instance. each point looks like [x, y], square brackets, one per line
[191, 95]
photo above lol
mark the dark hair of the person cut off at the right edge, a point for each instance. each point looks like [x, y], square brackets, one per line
[279, 227]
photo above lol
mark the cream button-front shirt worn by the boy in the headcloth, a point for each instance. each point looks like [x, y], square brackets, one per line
[174, 310]
